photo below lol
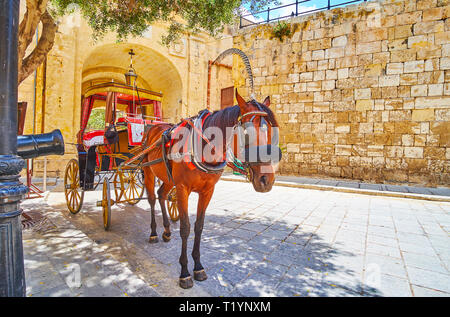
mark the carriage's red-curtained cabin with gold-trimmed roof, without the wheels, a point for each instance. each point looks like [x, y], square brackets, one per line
[112, 125]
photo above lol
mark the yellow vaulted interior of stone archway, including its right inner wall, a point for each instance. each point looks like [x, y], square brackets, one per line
[155, 72]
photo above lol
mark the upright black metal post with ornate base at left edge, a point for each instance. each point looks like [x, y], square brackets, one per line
[12, 274]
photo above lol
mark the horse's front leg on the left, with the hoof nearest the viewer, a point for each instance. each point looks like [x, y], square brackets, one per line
[182, 203]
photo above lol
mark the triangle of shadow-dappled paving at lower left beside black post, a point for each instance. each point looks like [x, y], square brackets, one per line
[61, 260]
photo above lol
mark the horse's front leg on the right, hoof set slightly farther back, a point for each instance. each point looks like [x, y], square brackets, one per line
[203, 200]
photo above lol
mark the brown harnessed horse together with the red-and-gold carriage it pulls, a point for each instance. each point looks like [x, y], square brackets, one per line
[132, 150]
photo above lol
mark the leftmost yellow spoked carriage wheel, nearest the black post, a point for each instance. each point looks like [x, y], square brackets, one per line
[72, 188]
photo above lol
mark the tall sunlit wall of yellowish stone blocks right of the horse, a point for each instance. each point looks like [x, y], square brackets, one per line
[361, 92]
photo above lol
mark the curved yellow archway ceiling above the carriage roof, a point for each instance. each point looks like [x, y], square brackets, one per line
[152, 67]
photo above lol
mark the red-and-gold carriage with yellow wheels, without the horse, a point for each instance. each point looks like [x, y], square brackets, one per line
[103, 145]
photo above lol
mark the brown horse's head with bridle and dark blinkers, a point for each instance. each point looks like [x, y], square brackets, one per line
[258, 142]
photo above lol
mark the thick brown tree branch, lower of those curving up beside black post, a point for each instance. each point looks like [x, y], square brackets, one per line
[45, 44]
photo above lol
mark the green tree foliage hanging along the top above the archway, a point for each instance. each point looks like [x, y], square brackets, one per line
[132, 17]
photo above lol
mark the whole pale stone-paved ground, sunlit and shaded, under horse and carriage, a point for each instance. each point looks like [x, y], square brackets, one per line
[288, 242]
